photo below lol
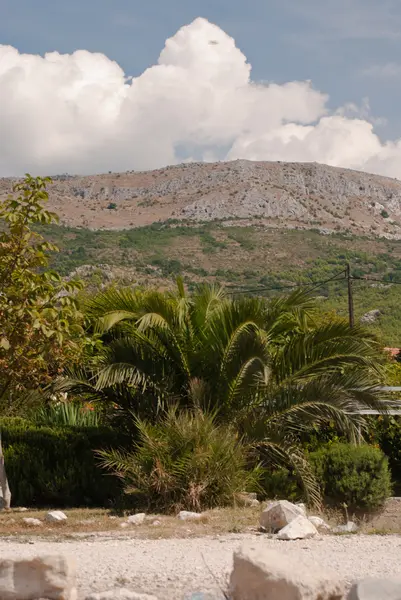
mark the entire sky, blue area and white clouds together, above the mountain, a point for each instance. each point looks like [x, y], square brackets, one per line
[95, 85]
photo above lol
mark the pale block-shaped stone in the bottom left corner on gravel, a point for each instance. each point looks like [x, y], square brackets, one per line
[50, 577]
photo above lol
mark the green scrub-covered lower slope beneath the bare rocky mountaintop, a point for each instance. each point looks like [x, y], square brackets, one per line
[259, 259]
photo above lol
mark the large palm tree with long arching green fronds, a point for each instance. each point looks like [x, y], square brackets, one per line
[265, 366]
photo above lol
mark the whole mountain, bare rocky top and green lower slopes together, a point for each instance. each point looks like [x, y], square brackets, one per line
[254, 227]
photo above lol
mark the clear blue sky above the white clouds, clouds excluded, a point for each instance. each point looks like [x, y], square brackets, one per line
[343, 46]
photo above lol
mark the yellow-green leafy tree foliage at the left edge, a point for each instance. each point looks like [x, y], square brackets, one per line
[40, 323]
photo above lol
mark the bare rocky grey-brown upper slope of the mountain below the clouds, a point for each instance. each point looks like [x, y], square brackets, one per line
[289, 195]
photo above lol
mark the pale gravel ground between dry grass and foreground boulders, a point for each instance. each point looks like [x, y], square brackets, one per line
[172, 568]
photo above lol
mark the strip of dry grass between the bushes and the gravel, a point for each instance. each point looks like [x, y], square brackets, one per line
[221, 521]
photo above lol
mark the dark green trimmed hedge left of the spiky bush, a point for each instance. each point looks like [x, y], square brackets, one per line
[57, 467]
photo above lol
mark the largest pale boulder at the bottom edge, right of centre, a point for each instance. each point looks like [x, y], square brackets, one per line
[268, 575]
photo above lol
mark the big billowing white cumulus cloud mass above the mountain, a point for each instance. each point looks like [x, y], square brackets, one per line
[79, 113]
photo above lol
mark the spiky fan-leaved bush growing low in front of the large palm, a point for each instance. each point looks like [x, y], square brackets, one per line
[185, 461]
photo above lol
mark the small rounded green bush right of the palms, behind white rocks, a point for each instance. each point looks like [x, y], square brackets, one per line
[355, 475]
